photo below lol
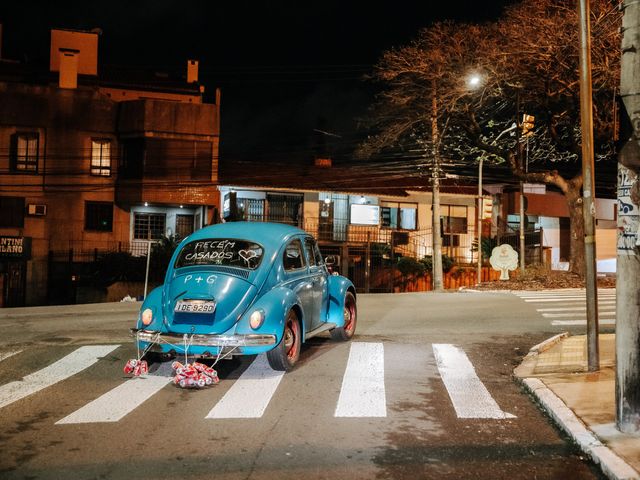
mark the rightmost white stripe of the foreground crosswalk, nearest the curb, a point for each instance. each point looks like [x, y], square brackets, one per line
[469, 396]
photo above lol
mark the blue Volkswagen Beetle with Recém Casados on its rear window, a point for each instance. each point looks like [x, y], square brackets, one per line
[245, 288]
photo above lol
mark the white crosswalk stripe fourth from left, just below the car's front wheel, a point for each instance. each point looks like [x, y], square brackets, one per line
[362, 393]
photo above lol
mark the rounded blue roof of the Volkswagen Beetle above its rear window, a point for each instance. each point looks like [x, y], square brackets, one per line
[269, 235]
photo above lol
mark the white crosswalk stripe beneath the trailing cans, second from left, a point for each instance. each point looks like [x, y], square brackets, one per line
[118, 402]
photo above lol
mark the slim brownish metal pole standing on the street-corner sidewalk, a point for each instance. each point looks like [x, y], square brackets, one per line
[588, 185]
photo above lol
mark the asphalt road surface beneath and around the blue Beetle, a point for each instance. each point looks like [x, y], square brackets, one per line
[406, 418]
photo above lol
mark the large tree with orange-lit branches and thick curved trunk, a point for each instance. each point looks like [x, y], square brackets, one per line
[528, 63]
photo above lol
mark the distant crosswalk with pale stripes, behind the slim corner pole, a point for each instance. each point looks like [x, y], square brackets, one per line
[567, 307]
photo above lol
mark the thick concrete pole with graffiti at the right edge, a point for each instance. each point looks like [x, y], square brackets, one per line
[628, 261]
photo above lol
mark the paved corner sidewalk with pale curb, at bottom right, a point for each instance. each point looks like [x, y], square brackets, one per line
[582, 403]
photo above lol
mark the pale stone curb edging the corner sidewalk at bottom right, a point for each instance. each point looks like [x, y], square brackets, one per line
[614, 467]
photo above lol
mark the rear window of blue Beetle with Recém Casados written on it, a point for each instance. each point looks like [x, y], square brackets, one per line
[227, 252]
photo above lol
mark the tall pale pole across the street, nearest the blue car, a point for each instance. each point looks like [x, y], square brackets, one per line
[436, 233]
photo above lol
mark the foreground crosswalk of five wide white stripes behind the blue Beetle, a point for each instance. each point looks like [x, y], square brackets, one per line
[362, 392]
